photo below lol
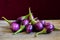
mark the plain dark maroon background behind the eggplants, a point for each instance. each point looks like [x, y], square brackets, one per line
[44, 9]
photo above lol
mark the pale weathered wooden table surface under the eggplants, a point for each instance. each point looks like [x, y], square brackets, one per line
[6, 34]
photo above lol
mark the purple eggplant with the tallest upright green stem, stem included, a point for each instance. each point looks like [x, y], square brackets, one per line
[38, 25]
